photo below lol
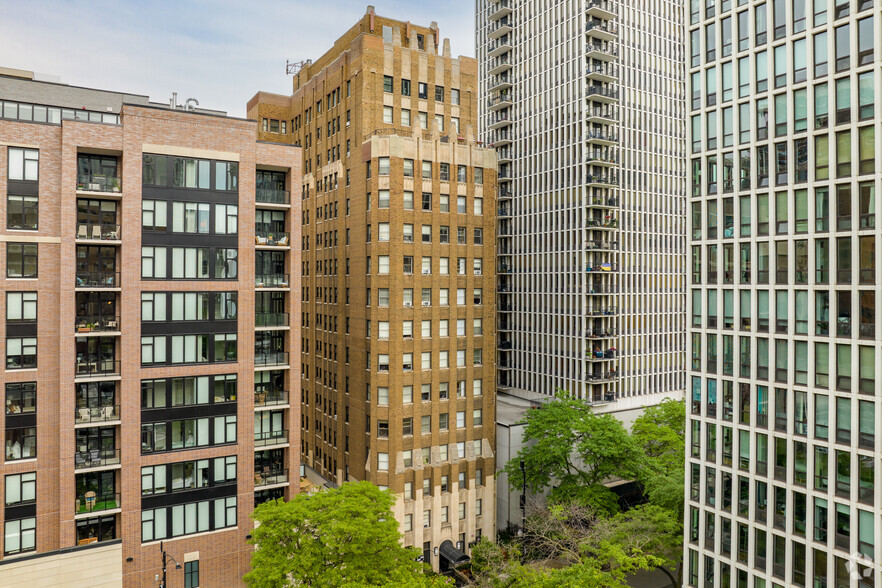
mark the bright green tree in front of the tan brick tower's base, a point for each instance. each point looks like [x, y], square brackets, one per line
[342, 537]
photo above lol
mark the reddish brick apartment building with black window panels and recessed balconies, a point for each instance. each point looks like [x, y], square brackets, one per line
[151, 378]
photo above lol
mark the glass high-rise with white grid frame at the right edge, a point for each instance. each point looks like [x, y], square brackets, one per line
[782, 484]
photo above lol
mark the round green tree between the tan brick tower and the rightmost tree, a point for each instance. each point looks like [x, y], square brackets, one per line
[570, 447]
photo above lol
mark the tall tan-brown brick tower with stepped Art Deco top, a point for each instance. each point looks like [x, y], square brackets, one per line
[398, 323]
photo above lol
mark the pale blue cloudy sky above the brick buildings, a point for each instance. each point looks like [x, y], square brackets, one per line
[220, 52]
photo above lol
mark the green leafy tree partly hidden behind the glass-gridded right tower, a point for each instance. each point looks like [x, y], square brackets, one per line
[661, 433]
